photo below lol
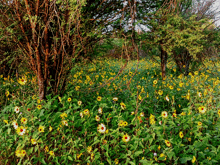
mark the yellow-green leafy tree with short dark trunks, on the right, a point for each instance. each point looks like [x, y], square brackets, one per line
[179, 36]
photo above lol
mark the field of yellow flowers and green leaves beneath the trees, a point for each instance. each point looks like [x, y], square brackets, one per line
[104, 117]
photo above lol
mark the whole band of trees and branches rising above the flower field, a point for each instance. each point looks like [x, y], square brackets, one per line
[50, 37]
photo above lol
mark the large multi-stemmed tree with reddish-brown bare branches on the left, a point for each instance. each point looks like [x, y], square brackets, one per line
[49, 33]
